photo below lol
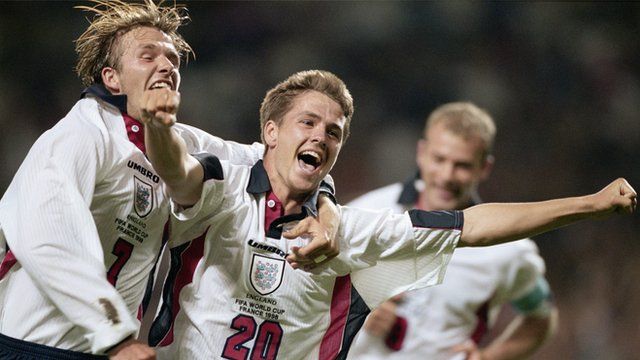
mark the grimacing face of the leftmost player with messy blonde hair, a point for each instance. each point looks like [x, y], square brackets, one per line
[148, 60]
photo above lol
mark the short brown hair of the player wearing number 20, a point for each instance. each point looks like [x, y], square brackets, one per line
[279, 99]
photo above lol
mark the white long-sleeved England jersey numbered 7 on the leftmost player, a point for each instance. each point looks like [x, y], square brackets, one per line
[81, 227]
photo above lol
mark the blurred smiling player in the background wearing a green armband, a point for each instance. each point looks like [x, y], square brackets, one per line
[454, 157]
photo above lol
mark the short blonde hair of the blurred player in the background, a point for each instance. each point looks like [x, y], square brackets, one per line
[467, 120]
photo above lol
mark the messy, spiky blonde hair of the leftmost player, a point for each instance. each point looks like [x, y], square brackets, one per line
[97, 46]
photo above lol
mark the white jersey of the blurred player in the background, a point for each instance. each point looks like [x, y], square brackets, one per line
[478, 282]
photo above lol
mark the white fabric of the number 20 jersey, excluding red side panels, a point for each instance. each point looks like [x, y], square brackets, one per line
[225, 289]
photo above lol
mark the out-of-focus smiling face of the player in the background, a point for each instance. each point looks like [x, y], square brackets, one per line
[451, 168]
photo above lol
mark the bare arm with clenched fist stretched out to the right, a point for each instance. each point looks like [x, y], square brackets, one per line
[493, 223]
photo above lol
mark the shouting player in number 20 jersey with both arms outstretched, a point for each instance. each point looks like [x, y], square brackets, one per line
[240, 300]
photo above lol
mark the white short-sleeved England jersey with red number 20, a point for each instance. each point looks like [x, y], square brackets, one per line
[233, 295]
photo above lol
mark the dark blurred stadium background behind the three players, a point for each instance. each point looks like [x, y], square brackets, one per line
[561, 80]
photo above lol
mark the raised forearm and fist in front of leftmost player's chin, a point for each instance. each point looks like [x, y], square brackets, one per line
[181, 172]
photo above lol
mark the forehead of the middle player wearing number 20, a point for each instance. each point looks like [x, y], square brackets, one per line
[316, 104]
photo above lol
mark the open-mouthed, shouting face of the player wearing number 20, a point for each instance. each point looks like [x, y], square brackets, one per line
[305, 146]
